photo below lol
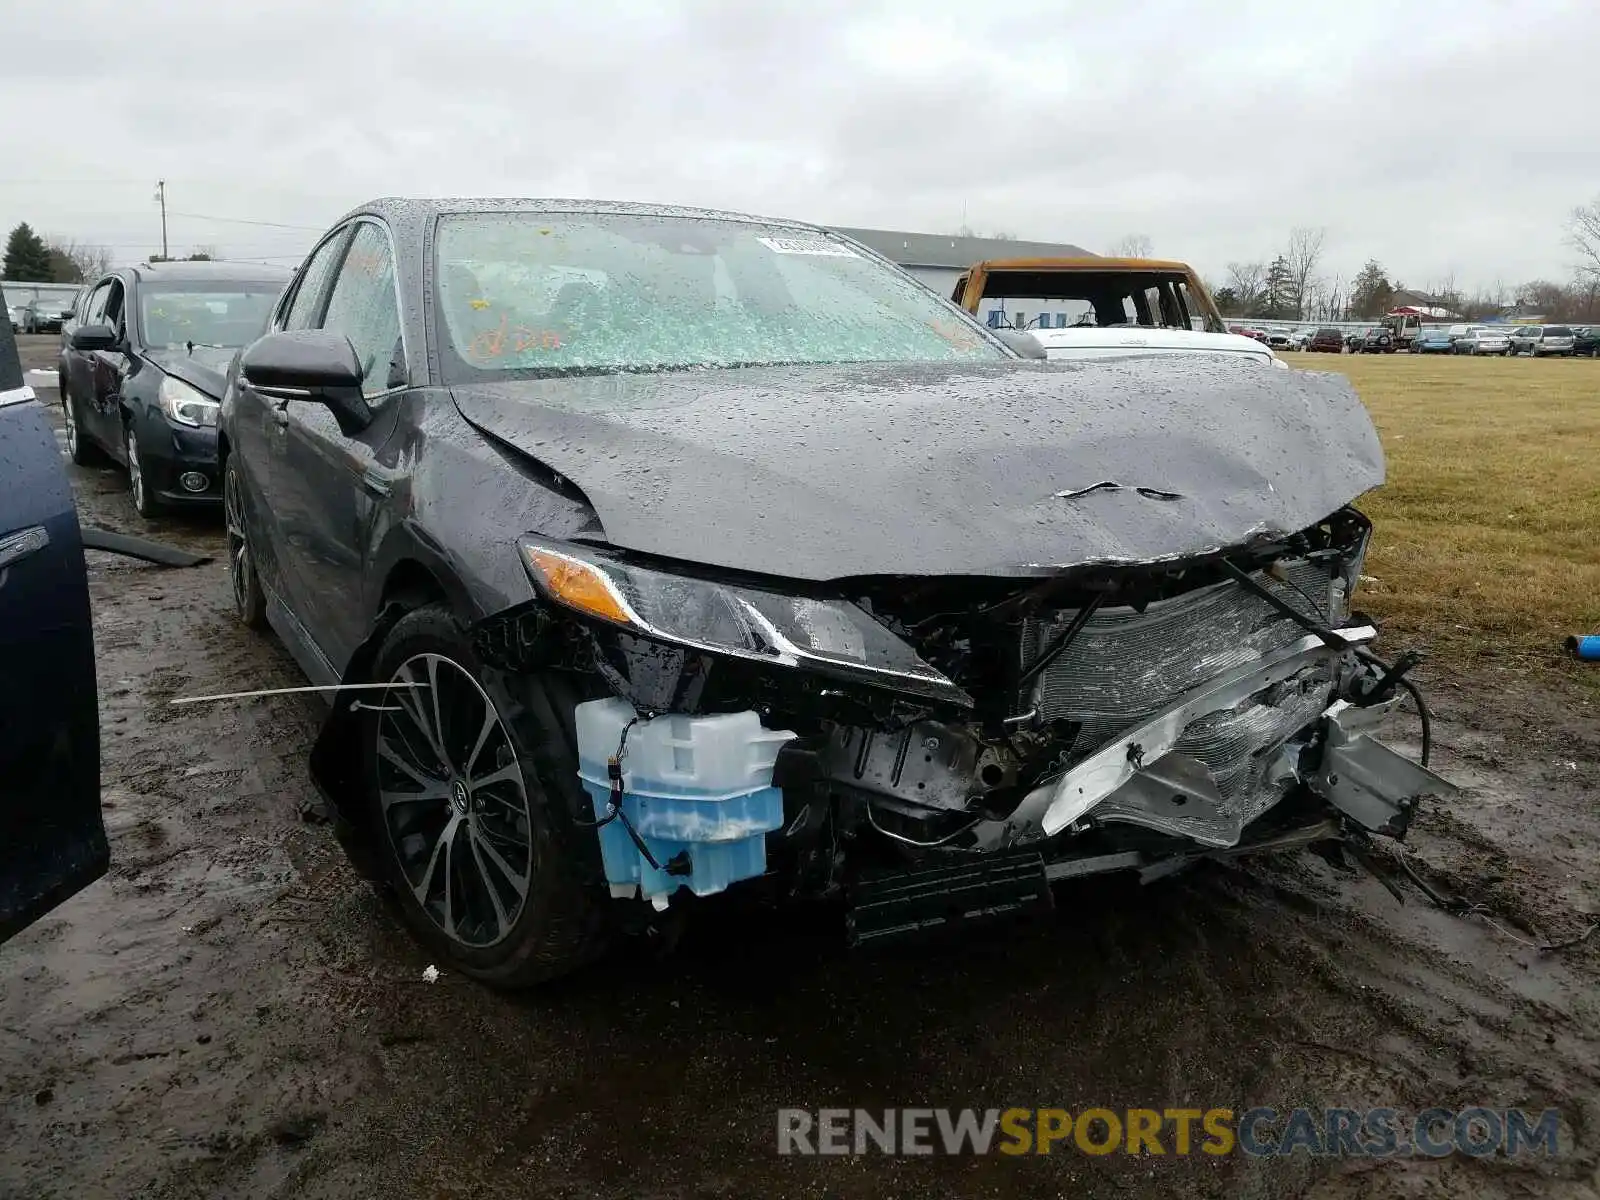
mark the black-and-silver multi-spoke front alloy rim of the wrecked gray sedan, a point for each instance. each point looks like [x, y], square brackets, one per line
[454, 801]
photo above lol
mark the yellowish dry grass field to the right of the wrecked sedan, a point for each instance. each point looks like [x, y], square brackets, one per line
[1489, 530]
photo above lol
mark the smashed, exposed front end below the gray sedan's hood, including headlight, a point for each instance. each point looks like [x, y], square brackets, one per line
[978, 738]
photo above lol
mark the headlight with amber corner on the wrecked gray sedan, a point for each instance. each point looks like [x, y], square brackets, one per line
[831, 638]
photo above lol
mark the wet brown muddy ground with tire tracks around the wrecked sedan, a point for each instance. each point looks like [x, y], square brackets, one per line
[234, 1014]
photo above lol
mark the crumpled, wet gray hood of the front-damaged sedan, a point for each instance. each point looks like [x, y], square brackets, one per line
[998, 470]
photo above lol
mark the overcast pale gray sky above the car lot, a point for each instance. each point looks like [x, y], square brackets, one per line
[1441, 138]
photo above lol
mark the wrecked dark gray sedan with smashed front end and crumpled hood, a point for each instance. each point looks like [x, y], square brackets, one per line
[665, 554]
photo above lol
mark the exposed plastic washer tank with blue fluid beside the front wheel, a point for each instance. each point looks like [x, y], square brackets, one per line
[698, 788]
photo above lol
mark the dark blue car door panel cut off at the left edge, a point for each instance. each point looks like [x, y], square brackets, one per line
[52, 836]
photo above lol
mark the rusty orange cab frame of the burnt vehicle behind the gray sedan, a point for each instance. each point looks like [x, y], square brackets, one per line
[1105, 292]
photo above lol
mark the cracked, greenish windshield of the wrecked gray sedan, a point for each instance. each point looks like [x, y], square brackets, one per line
[526, 295]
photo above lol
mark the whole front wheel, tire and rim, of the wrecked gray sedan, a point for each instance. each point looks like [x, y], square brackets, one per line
[465, 826]
